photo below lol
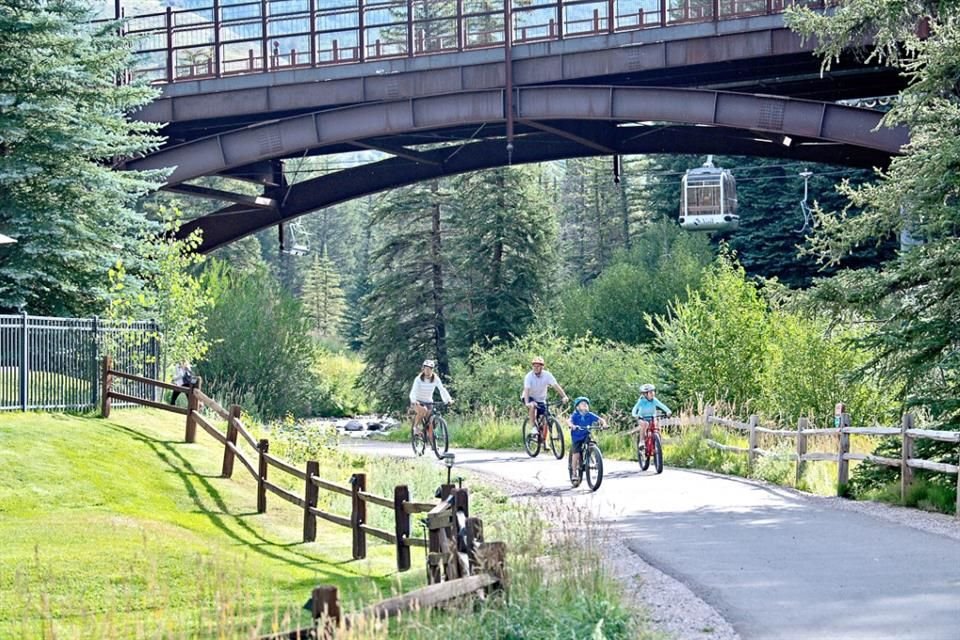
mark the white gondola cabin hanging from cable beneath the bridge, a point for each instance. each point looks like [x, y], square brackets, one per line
[709, 199]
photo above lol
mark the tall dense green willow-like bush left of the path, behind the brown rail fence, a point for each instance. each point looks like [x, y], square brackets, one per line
[261, 355]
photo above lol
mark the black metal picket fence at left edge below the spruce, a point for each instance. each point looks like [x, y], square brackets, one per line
[54, 363]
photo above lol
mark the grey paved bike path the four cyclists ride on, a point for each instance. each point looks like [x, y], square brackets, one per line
[776, 564]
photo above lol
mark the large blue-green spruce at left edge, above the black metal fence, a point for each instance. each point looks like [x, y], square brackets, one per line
[63, 126]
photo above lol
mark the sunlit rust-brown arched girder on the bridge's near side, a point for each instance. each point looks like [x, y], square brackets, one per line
[284, 138]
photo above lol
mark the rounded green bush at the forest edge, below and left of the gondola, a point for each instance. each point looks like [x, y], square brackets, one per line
[663, 265]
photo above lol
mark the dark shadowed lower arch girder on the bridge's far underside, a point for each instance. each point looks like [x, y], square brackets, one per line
[233, 223]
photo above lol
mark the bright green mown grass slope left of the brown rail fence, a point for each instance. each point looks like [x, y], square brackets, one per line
[116, 528]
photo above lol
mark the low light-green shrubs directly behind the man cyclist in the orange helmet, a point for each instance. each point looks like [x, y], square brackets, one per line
[609, 373]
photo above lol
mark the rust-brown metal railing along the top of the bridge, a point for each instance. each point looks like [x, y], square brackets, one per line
[229, 38]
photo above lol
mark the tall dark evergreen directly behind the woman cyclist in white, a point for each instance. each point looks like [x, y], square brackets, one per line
[407, 314]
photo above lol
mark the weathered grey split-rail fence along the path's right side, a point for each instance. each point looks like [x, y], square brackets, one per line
[906, 463]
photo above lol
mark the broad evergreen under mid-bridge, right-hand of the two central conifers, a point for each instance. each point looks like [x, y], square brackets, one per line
[502, 253]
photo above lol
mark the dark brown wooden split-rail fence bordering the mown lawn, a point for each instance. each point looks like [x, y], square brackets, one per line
[261, 462]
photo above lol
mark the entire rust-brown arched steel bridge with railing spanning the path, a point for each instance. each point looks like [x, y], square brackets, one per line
[442, 87]
